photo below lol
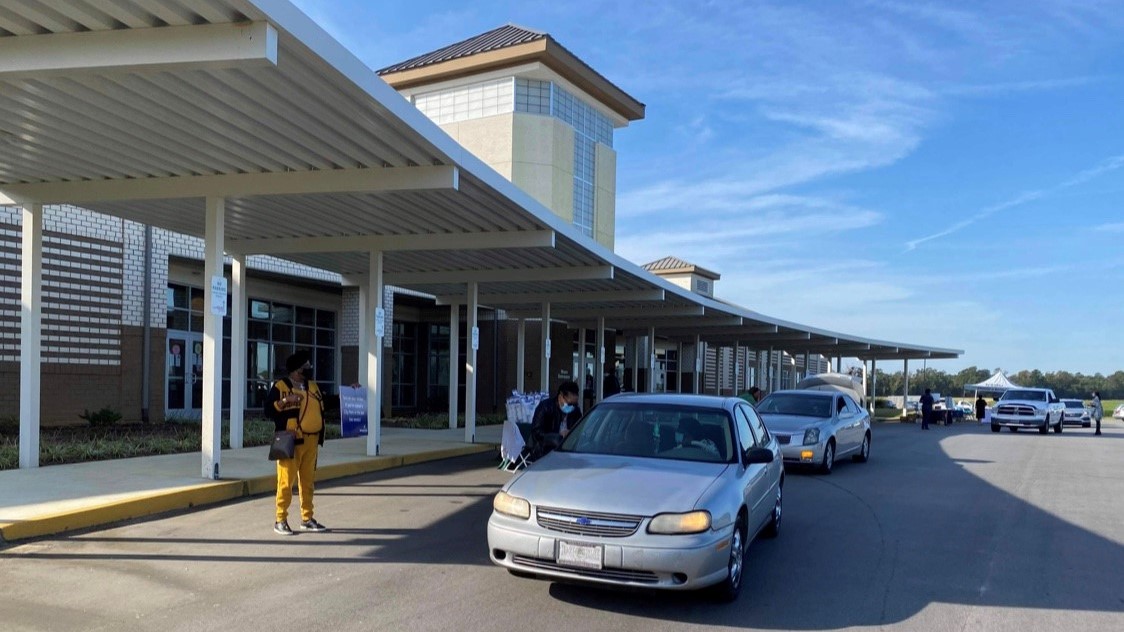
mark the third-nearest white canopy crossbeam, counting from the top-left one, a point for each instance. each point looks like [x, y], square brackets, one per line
[396, 243]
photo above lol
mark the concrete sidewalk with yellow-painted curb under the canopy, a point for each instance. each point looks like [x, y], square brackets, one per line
[58, 499]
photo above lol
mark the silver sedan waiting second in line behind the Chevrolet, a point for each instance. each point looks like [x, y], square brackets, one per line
[815, 428]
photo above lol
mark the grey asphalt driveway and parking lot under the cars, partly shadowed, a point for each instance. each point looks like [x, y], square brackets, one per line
[954, 529]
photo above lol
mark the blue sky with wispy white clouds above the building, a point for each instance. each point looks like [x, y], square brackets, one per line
[942, 174]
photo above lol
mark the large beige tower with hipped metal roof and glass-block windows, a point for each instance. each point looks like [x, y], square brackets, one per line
[532, 111]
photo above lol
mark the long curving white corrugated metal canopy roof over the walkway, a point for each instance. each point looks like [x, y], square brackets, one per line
[143, 109]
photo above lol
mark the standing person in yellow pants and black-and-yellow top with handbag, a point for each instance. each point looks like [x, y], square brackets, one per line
[296, 404]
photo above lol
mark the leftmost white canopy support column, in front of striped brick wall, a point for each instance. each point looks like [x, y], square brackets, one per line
[31, 336]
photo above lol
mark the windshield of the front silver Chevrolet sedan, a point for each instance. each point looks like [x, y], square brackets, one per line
[655, 431]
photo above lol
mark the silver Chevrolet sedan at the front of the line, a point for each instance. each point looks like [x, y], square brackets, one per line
[648, 491]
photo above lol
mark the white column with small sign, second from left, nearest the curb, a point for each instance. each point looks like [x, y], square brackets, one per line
[213, 338]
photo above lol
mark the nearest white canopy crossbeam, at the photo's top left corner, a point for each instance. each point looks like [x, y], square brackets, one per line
[180, 49]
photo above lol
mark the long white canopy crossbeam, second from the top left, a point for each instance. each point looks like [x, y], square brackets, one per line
[374, 180]
